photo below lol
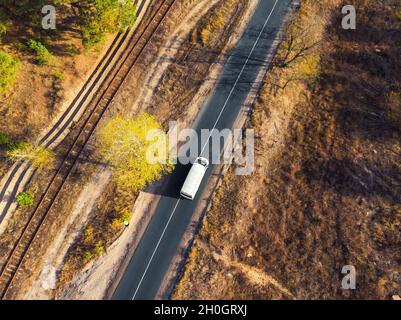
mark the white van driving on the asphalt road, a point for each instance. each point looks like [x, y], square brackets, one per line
[194, 178]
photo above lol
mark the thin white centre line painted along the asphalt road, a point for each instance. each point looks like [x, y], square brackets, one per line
[224, 106]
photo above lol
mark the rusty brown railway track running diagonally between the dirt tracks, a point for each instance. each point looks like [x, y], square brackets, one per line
[97, 108]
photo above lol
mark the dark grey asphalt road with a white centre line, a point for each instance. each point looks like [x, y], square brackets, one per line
[160, 242]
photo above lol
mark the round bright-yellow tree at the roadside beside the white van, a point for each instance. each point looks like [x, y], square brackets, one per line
[136, 150]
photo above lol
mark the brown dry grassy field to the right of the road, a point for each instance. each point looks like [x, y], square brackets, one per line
[326, 188]
